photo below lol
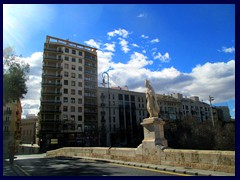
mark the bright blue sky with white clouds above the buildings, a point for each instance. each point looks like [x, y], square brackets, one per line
[182, 48]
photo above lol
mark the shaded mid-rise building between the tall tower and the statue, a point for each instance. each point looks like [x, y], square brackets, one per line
[119, 116]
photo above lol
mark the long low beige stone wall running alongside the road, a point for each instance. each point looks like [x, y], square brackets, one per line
[223, 161]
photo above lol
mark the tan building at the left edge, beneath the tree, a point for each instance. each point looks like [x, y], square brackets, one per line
[11, 124]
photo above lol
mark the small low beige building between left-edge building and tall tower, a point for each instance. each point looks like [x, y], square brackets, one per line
[29, 129]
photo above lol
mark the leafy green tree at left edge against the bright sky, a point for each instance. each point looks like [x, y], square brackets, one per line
[15, 75]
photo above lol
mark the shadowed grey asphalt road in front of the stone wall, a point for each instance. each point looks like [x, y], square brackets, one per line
[39, 166]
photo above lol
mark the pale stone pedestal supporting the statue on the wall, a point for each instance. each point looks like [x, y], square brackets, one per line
[153, 133]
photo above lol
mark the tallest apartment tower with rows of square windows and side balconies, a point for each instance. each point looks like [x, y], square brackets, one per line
[68, 94]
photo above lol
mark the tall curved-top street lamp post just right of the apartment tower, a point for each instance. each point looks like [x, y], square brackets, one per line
[104, 74]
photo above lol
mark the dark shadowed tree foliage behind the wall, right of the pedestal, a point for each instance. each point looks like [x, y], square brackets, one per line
[191, 134]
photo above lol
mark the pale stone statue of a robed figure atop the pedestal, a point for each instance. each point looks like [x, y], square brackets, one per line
[152, 105]
